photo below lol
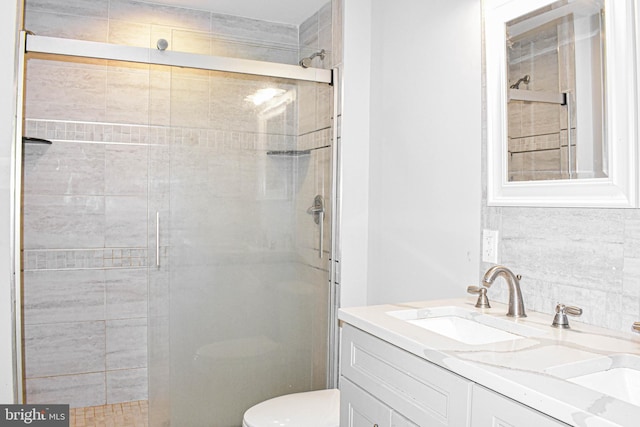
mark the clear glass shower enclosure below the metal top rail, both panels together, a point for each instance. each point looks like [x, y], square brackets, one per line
[179, 227]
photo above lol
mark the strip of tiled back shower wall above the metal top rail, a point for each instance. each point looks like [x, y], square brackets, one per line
[137, 23]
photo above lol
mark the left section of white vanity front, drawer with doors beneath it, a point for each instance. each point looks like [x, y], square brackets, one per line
[385, 385]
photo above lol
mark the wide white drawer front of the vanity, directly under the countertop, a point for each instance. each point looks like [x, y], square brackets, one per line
[425, 393]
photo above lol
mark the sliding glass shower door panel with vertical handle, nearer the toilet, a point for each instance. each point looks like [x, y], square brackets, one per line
[240, 290]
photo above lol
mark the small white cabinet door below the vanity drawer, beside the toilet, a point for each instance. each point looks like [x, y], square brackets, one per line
[359, 409]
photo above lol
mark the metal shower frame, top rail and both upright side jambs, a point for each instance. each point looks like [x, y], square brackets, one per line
[30, 43]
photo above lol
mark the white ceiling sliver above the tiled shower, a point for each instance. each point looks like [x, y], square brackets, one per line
[283, 11]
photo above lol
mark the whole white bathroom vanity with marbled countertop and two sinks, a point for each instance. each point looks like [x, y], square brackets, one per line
[447, 363]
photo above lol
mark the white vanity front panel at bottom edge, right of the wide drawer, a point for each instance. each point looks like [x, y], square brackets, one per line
[490, 409]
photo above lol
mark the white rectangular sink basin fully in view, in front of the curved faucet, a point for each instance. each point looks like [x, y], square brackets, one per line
[469, 327]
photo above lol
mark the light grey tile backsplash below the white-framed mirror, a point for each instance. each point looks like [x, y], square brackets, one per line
[589, 258]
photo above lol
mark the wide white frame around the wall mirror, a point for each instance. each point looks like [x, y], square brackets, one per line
[620, 188]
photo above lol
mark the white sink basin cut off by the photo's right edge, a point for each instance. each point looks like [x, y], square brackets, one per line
[621, 383]
